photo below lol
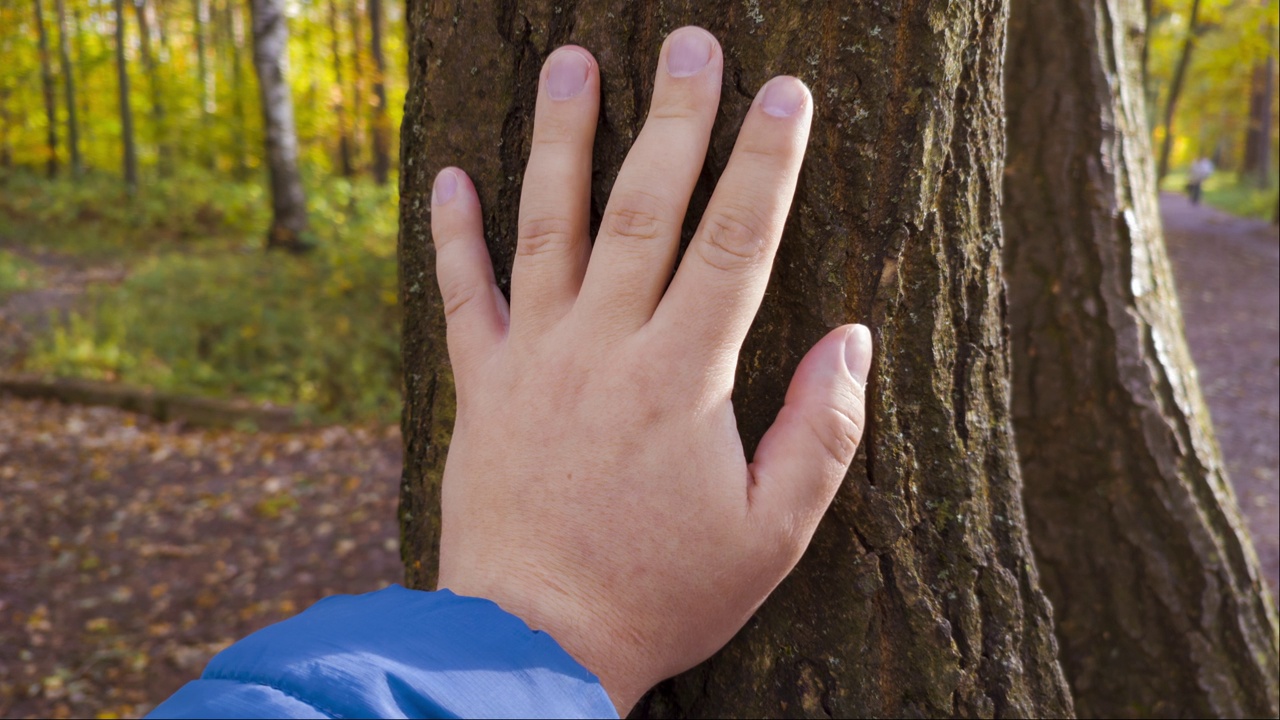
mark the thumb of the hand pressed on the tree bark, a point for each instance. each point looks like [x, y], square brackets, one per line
[806, 454]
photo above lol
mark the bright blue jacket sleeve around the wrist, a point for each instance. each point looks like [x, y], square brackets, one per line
[394, 654]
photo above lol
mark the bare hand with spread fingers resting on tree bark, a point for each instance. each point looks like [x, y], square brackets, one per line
[597, 485]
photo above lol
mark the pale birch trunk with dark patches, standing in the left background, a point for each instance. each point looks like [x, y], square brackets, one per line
[271, 58]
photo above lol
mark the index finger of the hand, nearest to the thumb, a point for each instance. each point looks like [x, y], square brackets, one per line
[723, 277]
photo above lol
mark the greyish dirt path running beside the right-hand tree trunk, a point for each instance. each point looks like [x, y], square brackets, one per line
[1228, 275]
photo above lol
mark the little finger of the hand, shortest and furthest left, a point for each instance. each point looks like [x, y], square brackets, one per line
[474, 308]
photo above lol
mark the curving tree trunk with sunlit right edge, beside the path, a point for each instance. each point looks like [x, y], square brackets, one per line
[1162, 609]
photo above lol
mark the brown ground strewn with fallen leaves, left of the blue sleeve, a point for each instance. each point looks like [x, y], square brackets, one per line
[134, 552]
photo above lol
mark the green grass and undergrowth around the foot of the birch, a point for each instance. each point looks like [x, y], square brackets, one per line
[205, 311]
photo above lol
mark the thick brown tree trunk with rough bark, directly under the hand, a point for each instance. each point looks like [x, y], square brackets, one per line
[918, 596]
